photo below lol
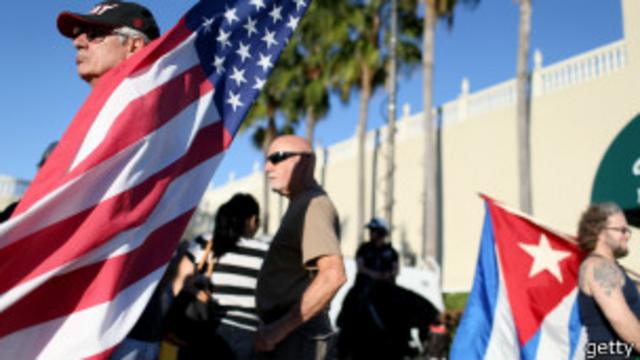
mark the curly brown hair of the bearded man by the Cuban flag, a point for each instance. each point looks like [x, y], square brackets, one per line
[592, 222]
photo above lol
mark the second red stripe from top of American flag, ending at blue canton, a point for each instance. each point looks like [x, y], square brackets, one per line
[148, 113]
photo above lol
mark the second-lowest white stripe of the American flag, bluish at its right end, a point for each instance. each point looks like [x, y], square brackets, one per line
[182, 194]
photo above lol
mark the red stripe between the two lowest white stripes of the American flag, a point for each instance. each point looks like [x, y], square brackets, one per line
[94, 284]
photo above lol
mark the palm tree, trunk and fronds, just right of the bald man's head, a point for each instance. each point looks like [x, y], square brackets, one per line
[361, 65]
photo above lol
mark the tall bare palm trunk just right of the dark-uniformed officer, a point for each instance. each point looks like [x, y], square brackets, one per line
[431, 215]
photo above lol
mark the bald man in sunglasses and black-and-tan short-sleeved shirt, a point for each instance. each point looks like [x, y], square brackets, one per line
[303, 269]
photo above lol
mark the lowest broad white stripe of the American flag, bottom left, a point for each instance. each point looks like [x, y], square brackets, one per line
[84, 333]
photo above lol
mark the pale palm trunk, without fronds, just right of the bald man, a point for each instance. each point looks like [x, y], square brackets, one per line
[361, 138]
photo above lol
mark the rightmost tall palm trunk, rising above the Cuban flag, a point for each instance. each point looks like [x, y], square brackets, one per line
[522, 108]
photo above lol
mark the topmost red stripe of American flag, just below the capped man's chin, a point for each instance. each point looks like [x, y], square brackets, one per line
[52, 173]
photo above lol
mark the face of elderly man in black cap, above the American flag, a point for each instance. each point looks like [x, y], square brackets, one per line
[98, 54]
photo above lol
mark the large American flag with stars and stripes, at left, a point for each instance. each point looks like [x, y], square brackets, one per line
[93, 234]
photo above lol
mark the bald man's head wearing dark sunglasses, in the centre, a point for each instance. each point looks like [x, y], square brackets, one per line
[290, 165]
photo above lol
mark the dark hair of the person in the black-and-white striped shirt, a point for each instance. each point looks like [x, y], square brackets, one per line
[230, 222]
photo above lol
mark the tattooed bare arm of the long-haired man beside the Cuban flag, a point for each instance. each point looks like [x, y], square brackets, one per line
[605, 280]
